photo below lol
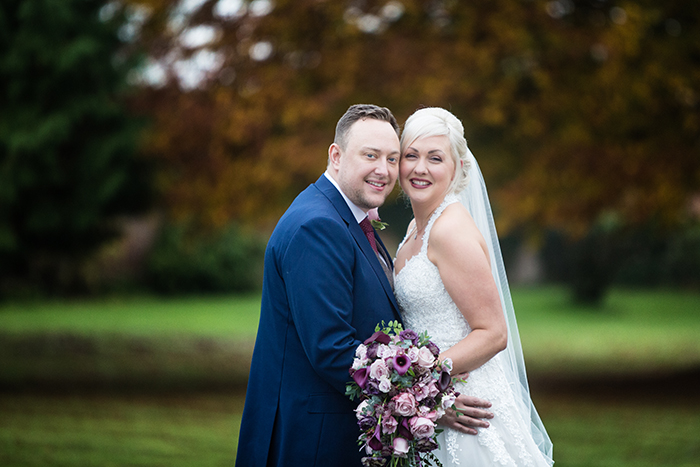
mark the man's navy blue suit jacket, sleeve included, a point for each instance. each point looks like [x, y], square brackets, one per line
[324, 291]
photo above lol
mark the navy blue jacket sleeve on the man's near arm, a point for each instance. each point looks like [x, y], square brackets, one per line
[318, 273]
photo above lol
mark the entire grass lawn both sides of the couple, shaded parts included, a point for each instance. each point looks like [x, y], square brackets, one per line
[180, 343]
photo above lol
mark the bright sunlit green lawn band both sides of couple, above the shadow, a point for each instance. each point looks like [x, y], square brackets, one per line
[634, 331]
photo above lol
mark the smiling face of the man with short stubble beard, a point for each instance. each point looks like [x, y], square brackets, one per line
[366, 170]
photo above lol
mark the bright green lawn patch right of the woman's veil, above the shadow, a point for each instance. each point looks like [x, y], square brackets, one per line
[635, 331]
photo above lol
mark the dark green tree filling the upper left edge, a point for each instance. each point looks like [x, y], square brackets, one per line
[67, 148]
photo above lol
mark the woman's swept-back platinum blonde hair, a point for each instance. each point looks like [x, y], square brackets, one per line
[435, 121]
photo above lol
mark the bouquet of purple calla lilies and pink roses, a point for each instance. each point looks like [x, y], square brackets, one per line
[403, 389]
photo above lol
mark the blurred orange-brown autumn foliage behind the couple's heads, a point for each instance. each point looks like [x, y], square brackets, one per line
[576, 110]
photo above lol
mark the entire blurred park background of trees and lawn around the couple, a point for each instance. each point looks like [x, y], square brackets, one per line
[147, 149]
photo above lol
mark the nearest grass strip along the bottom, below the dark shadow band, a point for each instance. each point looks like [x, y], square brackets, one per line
[201, 430]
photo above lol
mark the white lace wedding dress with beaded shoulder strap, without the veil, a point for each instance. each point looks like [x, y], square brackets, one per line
[426, 306]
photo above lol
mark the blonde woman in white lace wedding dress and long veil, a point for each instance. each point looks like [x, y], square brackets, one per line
[450, 282]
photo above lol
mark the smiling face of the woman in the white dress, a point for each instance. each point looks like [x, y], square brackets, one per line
[426, 169]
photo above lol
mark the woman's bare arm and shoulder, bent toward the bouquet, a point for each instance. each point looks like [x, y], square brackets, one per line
[461, 256]
